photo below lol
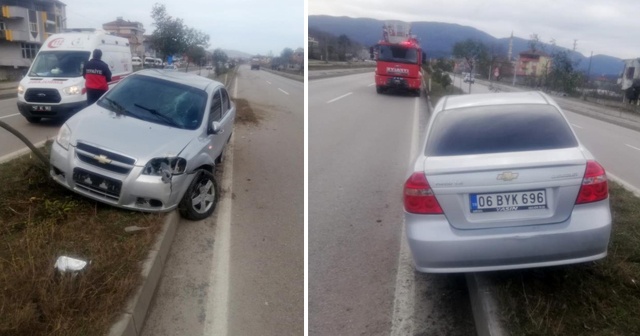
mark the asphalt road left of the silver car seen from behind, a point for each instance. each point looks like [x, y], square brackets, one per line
[361, 281]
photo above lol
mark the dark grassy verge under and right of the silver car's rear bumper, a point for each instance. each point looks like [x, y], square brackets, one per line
[598, 298]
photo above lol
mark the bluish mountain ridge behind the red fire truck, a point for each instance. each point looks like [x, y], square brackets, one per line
[438, 38]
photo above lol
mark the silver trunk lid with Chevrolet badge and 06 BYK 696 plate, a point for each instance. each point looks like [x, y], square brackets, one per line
[507, 189]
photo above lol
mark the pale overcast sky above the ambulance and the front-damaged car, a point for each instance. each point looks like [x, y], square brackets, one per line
[251, 26]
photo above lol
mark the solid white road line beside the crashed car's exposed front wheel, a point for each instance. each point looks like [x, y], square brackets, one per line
[218, 298]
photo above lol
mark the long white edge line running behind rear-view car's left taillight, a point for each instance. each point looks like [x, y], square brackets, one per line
[402, 322]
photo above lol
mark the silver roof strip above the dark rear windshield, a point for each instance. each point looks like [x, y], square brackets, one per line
[501, 98]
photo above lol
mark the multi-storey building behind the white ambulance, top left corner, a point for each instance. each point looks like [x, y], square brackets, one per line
[24, 26]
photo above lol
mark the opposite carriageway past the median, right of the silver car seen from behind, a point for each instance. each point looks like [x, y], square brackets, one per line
[617, 148]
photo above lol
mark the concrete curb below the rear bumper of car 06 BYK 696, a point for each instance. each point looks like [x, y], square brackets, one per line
[483, 305]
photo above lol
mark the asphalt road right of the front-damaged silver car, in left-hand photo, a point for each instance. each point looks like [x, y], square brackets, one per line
[262, 289]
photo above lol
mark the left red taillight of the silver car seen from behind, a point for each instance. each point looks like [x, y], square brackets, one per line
[418, 196]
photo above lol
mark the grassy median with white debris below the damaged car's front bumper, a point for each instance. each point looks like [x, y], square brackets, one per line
[41, 220]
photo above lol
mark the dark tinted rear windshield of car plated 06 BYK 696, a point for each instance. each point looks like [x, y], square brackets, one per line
[499, 129]
